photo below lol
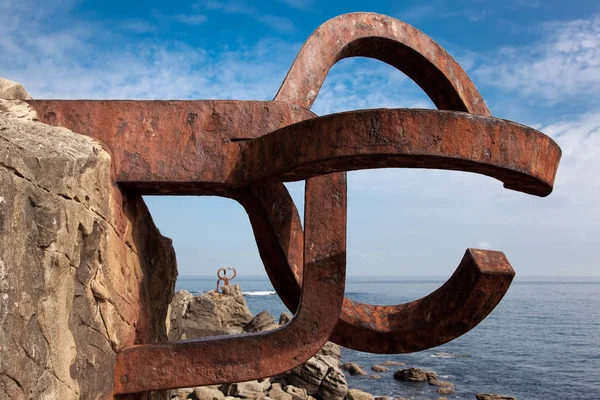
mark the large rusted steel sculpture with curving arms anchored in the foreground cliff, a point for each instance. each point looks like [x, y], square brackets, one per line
[245, 150]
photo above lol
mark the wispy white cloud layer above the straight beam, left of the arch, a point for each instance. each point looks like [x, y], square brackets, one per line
[65, 61]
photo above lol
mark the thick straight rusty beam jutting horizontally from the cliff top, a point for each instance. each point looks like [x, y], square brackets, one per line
[172, 147]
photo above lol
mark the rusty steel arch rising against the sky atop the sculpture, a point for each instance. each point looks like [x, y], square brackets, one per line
[386, 39]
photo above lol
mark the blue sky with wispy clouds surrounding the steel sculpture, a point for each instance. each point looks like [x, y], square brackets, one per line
[535, 62]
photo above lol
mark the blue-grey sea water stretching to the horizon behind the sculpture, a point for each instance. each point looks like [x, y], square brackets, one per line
[542, 342]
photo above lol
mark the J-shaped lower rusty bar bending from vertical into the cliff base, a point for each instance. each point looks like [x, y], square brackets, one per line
[258, 355]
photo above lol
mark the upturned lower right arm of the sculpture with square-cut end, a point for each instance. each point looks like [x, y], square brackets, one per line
[472, 292]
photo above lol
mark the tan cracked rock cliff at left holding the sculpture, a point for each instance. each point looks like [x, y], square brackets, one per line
[83, 270]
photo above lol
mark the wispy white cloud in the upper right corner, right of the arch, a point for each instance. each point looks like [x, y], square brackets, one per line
[564, 66]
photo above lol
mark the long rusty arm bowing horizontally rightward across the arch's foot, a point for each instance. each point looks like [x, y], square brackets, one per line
[521, 157]
